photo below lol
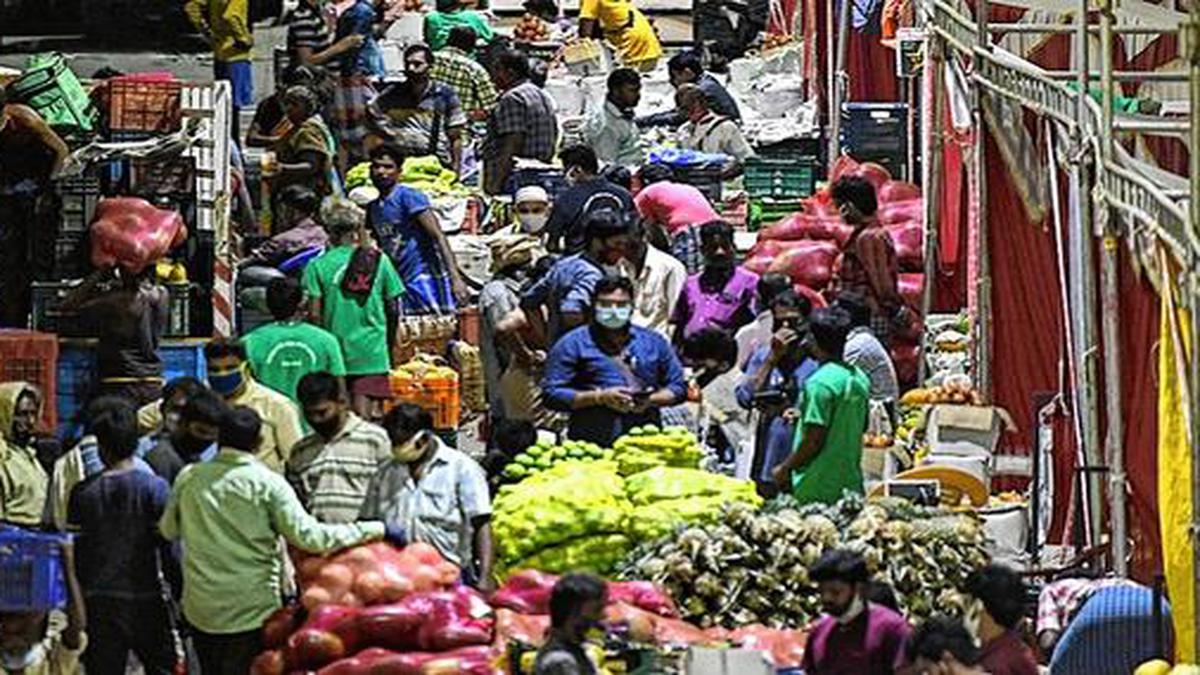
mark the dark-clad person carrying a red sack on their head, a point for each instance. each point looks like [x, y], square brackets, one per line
[130, 313]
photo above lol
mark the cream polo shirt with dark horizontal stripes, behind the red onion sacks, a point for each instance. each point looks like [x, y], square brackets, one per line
[332, 477]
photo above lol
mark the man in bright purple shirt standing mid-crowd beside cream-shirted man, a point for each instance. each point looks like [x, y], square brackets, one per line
[723, 295]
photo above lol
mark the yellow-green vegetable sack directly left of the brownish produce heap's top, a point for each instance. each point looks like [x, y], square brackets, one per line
[665, 498]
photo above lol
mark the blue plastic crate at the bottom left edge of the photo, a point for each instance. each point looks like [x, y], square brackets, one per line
[32, 575]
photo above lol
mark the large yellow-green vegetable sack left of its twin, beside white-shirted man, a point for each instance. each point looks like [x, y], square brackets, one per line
[569, 517]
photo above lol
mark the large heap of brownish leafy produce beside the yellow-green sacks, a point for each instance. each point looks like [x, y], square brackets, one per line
[753, 568]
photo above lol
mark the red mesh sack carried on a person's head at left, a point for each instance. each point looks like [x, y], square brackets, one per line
[131, 234]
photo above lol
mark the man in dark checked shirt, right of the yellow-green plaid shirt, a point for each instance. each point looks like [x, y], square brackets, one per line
[524, 123]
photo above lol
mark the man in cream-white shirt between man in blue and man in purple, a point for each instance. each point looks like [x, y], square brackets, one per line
[659, 280]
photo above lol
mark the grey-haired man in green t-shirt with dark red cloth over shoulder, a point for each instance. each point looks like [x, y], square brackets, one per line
[362, 313]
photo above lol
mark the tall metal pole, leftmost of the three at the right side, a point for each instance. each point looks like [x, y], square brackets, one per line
[1083, 278]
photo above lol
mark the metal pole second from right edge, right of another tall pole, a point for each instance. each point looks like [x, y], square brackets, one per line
[1111, 308]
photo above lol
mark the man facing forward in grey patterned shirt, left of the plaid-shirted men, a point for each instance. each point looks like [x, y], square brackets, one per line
[421, 116]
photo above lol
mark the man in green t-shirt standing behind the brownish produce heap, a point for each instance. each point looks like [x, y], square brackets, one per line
[832, 419]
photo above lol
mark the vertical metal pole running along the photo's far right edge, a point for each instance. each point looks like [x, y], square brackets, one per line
[1192, 43]
